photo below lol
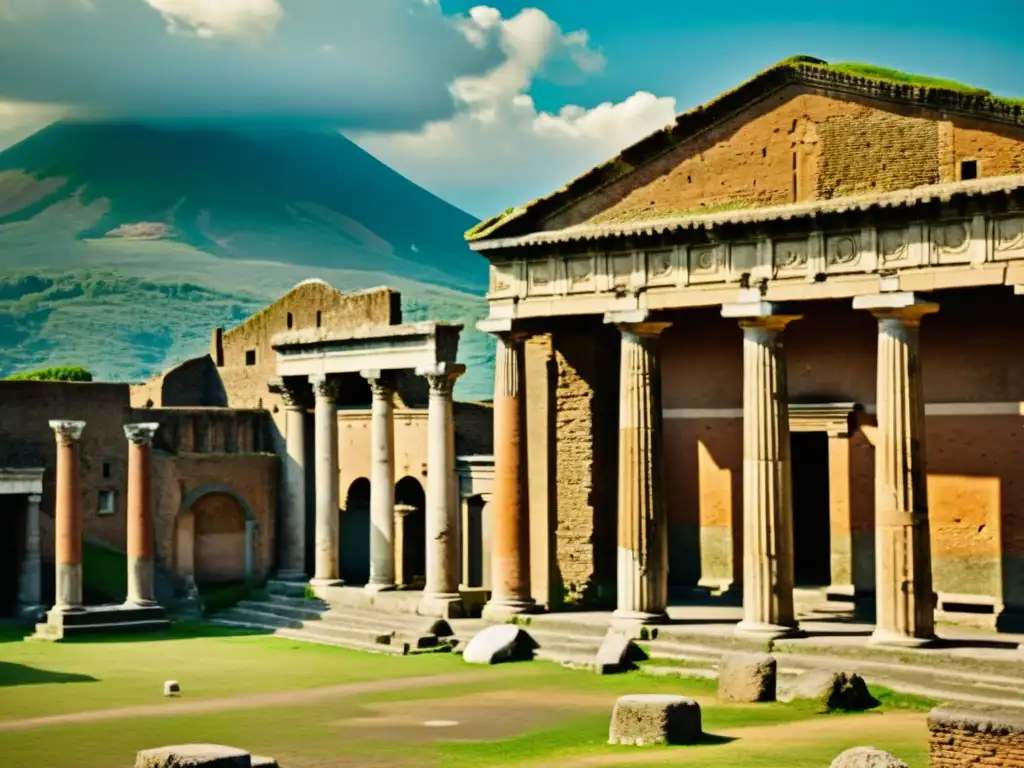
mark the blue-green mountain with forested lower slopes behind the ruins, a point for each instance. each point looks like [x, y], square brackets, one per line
[123, 243]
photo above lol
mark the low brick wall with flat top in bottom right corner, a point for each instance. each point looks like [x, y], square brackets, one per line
[963, 737]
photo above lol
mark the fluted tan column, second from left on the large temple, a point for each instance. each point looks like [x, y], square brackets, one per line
[644, 540]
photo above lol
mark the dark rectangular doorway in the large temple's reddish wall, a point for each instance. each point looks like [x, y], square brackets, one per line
[812, 506]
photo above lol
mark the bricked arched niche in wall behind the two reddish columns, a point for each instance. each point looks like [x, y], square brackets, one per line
[216, 536]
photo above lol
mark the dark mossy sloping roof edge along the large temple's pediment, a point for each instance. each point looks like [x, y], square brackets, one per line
[880, 81]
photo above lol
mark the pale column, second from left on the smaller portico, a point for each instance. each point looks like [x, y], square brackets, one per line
[326, 465]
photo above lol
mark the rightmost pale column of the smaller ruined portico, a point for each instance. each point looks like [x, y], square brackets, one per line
[441, 595]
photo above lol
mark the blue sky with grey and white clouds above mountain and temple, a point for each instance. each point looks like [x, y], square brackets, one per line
[486, 106]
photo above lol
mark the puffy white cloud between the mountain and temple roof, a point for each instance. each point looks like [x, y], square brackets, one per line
[498, 138]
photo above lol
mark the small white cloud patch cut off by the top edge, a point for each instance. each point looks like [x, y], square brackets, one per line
[238, 19]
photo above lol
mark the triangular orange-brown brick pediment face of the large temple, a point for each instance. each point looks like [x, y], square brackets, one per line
[800, 145]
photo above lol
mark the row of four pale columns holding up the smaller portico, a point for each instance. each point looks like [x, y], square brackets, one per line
[442, 590]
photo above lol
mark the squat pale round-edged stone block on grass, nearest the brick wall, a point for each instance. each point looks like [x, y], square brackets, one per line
[650, 719]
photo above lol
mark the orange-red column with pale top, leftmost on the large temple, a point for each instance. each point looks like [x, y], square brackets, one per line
[510, 546]
